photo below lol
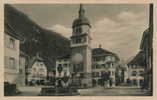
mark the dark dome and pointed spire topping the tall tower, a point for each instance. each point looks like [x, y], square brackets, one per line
[81, 20]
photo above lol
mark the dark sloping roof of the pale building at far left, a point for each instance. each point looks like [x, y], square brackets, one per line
[8, 29]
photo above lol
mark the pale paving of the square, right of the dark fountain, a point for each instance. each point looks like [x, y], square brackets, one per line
[117, 91]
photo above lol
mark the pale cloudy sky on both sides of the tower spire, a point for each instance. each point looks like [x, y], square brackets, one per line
[117, 27]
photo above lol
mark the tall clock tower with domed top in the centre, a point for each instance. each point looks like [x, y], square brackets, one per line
[81, 49]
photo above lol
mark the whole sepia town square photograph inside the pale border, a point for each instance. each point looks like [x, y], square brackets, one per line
[78, 49]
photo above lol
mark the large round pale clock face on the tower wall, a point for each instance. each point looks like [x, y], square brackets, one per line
[77, 58]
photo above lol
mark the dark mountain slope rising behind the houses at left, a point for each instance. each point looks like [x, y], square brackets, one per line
[36, 39]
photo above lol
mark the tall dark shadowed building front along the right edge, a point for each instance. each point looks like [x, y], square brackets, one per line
[146, 47]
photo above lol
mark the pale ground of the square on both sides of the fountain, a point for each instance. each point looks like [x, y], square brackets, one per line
[96, 91]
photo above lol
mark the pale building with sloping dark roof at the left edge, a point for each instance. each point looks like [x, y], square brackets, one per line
[11, 54]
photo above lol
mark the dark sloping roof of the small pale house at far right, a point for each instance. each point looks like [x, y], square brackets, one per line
[138, 60]
